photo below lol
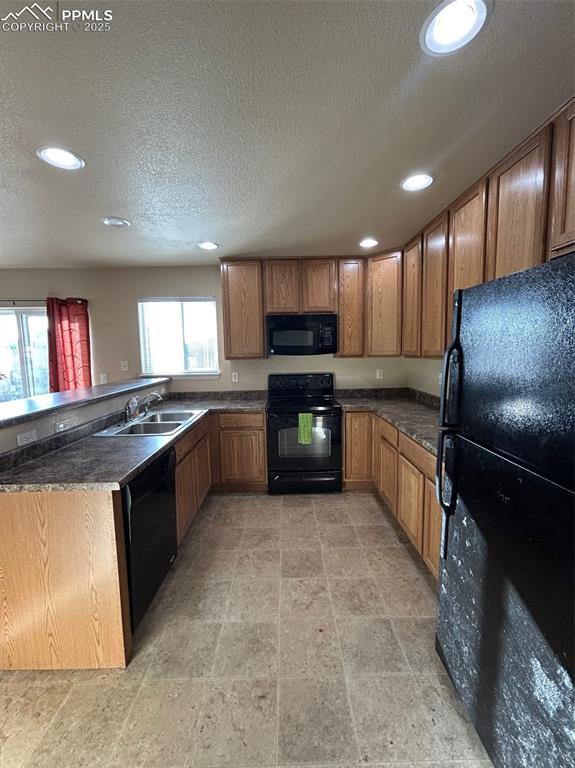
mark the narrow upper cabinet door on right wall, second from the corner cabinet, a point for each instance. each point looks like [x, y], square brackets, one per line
[434, 292]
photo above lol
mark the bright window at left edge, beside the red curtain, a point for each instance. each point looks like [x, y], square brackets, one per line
[23, 352]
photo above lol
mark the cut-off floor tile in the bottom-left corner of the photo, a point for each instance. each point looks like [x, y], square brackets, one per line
[25, 713]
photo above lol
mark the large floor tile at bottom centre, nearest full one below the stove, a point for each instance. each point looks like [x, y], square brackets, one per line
[314, 721]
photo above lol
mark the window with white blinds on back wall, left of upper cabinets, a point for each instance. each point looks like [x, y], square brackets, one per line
[178, 336]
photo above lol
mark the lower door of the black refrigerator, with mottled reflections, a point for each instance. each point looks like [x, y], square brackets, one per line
[506, 604]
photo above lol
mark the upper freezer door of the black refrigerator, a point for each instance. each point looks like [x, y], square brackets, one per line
[513, 374]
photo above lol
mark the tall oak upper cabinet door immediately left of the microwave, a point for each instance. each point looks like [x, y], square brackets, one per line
[243, 310]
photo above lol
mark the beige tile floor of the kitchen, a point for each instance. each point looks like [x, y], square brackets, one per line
[291, 631]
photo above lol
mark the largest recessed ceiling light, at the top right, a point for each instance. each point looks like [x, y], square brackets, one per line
[453, 24]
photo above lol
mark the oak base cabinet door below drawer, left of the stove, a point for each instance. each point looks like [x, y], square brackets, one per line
[242, 456]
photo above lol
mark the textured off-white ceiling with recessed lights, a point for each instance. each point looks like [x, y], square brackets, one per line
[273, 128]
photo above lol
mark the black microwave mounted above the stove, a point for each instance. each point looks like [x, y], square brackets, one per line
[301, 334]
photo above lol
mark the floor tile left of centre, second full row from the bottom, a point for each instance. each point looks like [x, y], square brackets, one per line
[247, 649]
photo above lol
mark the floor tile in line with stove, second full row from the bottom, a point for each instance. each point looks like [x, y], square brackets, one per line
[309, 648]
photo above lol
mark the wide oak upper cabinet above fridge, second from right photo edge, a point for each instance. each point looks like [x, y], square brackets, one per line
[517, 208]
